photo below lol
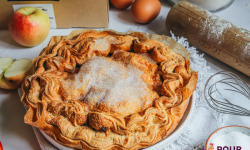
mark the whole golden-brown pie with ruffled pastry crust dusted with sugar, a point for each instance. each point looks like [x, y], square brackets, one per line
[108, 90]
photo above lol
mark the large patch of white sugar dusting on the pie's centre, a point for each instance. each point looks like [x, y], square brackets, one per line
[104, 80]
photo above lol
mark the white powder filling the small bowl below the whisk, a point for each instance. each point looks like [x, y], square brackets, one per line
[232, 139]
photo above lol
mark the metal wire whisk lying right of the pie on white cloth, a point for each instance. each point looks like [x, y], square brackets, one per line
[222, 82]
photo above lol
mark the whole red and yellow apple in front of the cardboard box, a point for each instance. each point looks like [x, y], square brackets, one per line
[29, 26]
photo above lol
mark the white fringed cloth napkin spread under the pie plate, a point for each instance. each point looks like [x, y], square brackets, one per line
[204, 120]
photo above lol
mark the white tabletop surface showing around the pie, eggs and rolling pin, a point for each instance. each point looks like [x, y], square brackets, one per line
[14, 134]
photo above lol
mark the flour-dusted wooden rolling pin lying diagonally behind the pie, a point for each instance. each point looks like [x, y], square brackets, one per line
[207, 32]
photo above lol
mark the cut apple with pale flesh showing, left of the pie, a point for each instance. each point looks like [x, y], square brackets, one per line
[13, 72]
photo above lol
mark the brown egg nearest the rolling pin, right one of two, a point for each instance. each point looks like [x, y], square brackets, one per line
[144, 11]
